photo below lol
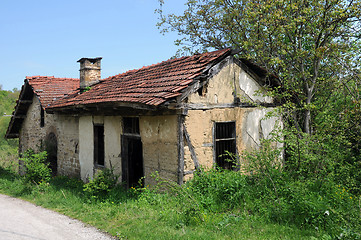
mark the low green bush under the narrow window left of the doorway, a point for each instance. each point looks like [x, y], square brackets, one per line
[100, 186]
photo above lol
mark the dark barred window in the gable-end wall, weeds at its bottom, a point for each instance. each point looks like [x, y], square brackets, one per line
[225, 141]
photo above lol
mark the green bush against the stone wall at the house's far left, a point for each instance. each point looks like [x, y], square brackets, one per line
[35, 166]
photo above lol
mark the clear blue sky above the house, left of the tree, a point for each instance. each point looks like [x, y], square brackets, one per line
[46, 37]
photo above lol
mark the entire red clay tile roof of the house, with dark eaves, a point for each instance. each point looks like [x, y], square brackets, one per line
[148, 87]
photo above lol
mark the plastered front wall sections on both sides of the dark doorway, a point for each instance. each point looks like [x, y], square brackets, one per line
[159, 139]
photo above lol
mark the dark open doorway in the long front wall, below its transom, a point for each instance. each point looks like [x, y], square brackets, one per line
[132, 161]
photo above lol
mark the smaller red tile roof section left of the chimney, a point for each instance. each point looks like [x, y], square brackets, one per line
[50, 89]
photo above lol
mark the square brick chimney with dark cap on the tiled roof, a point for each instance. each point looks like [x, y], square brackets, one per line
[89, 71]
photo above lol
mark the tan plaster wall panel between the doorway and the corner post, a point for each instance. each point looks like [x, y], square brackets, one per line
[160, 146]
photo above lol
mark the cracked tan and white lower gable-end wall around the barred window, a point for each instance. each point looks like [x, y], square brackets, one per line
[252, 124]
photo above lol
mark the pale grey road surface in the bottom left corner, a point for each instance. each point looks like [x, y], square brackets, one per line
[22, 220]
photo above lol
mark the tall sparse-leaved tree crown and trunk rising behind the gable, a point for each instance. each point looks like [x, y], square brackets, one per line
[302, 42]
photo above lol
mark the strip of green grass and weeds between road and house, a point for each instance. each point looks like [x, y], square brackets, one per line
[214, 205]
